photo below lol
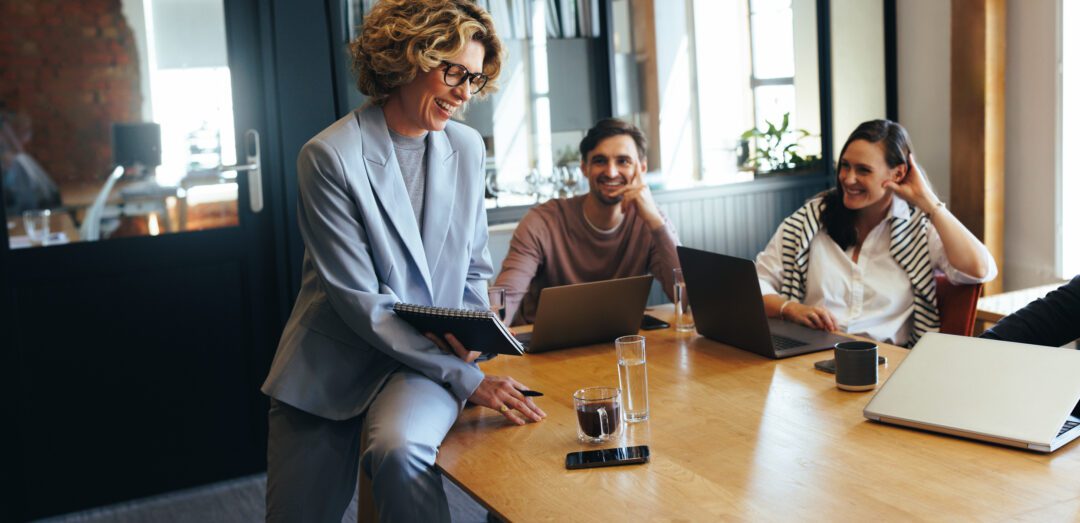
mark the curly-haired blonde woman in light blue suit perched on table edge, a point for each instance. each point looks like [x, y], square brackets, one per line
[391, 209]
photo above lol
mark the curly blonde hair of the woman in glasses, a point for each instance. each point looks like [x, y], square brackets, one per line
[401, 38]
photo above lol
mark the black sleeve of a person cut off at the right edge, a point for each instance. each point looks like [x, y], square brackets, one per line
[1054, 320]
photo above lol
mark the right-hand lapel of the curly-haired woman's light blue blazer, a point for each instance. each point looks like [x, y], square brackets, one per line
[440, 195]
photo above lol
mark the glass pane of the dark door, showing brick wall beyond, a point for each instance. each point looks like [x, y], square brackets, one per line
[140, 62]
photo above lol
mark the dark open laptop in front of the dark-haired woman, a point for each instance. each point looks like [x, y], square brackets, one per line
[727, 305]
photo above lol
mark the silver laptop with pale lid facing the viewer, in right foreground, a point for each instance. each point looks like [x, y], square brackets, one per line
[1004, 393]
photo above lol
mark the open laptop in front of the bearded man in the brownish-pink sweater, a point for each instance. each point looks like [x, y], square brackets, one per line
[586, 314]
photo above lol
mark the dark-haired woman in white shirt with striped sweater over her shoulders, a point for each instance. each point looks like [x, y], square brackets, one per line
[885, 234]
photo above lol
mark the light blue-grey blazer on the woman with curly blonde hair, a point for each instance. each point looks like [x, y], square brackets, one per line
[364, 252]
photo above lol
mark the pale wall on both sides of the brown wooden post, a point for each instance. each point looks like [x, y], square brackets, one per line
[924, 98]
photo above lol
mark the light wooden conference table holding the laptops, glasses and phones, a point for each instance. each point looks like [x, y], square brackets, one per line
[737, 436]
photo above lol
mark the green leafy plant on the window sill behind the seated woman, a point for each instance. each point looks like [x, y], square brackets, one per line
[777, 150]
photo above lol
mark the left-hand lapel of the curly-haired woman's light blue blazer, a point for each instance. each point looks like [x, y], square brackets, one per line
[386, 179]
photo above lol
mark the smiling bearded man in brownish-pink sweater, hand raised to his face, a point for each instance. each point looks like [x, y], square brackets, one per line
[614, 232]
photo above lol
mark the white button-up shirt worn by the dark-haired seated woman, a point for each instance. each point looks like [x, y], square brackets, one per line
[872, 298]
